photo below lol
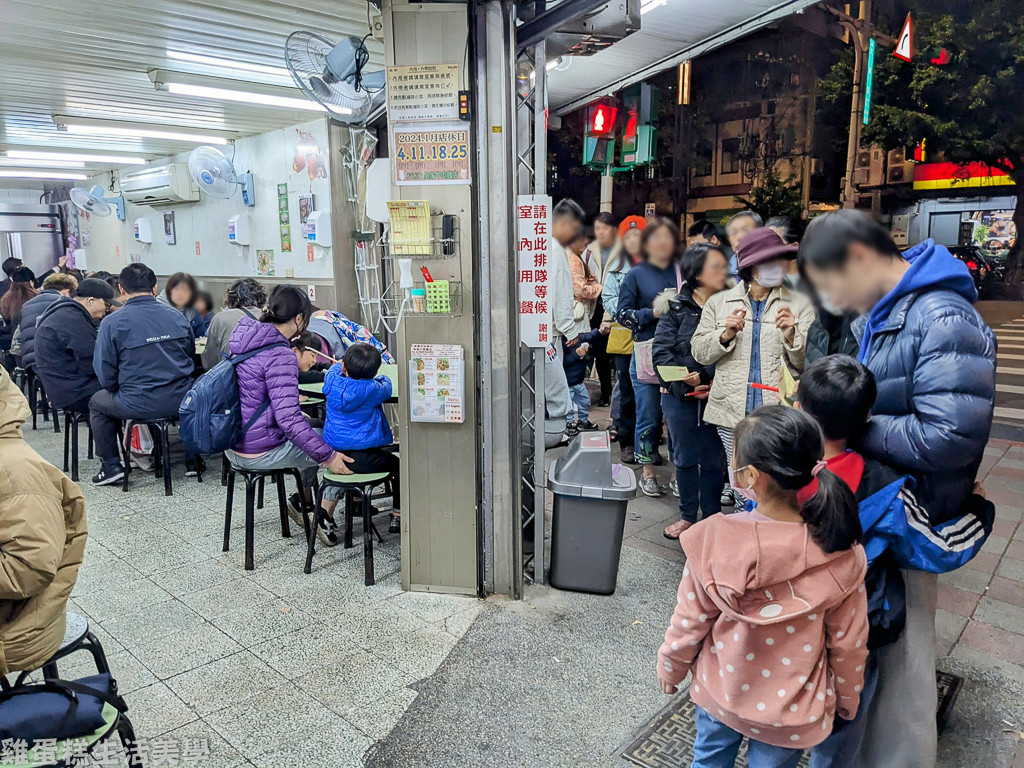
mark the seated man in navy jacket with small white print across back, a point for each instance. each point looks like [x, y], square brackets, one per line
[144, 362]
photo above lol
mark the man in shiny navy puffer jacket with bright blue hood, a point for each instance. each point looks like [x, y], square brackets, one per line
[934, 361]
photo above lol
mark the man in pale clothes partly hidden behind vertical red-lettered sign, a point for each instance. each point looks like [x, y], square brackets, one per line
[567, 223]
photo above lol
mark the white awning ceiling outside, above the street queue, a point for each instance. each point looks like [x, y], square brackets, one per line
[669, 34]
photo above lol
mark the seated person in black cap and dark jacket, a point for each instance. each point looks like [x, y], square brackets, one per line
[66, 342]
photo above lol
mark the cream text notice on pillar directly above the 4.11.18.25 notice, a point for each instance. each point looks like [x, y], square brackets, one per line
[423, 93]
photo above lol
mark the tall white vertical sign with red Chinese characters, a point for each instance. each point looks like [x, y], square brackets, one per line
[534, 245]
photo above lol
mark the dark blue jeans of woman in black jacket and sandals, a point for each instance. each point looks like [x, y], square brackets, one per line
[697, 452]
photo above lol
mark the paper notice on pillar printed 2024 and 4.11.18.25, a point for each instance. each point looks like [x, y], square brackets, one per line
[432, 155]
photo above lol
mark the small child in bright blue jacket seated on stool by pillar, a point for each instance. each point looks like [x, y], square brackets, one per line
[356, 424]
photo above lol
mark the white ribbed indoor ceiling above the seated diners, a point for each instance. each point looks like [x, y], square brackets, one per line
[91, 58]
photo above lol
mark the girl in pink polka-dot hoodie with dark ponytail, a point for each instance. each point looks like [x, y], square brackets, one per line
[772, 615]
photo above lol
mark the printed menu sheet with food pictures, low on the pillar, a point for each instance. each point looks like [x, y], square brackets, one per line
[437, 383]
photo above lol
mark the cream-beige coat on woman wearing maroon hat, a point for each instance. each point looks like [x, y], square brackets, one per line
[728, 403]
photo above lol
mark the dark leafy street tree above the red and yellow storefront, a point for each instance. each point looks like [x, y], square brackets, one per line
[967, 106]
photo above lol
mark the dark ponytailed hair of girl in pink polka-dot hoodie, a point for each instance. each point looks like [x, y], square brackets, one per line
[787, 445]
